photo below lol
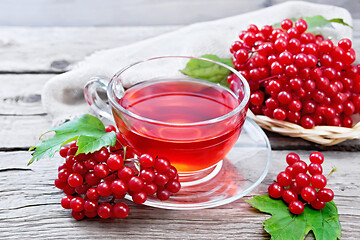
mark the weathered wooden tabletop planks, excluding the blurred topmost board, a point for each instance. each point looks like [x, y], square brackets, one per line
[29, 203]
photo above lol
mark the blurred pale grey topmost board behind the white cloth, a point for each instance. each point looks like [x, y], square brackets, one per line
[134, 12]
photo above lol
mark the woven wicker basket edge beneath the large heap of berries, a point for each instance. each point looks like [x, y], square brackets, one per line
[324, 135]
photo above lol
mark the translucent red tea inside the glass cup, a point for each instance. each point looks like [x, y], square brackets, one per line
[191, 121]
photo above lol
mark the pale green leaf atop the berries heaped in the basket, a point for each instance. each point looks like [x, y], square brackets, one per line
[316, 22]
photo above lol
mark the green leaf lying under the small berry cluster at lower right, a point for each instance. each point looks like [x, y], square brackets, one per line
[284, 225]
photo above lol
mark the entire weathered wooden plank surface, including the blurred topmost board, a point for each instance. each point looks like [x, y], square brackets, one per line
[41, 38]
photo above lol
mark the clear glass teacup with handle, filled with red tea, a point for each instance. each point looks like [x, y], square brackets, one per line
[162, 112]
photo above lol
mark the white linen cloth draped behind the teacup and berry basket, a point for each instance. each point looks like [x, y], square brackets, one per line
[62, 96]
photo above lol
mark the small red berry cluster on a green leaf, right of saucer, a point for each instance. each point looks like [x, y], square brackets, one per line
[296, 187]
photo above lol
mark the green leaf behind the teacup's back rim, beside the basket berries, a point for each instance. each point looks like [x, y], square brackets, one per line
[208, 70]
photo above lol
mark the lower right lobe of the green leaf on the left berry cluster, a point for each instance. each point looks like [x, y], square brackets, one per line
[89, 144]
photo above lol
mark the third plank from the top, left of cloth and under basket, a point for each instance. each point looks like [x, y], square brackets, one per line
[22, 114]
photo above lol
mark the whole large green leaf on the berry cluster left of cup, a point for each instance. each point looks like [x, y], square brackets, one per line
[89, 129]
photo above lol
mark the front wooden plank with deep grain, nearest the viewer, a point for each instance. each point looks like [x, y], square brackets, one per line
[29, 206]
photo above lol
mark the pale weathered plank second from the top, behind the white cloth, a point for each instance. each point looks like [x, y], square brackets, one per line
[55, 50]
